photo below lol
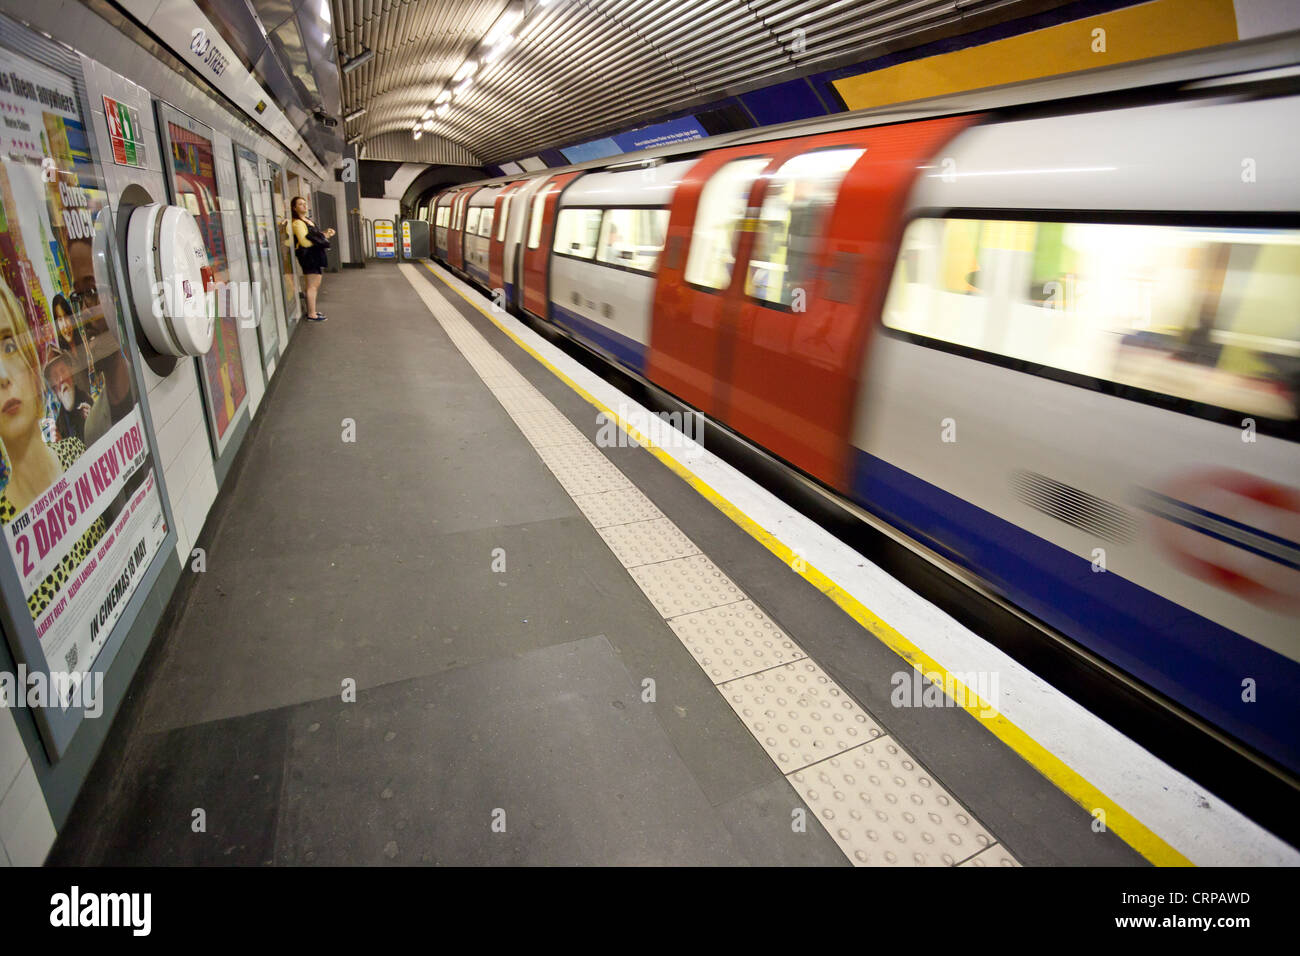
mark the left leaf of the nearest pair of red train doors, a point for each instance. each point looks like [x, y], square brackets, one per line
[695, 272]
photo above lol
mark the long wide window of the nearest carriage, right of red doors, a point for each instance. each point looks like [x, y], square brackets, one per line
[1195, 313]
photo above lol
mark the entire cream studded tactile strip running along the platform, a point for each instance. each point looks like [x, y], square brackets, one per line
[879, 806]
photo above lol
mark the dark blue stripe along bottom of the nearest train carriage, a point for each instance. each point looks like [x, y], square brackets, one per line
[1189, 659]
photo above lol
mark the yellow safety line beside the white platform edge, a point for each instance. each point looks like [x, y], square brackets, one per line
[1090, 798]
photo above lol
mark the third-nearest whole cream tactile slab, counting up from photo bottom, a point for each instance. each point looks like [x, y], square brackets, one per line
[735, 641]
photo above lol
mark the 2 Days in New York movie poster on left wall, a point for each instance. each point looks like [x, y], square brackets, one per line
[79, 498]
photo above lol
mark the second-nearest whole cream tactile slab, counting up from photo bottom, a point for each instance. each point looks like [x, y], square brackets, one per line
[799, 715]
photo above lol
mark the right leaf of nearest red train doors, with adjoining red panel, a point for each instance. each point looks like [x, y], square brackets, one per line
[809, 284]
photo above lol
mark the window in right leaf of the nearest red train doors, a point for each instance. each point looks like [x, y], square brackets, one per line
[799, 198]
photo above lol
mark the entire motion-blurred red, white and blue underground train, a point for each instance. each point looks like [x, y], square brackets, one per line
[1054, 339]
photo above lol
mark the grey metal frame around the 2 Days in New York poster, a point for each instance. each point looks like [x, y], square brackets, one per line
[58, 729]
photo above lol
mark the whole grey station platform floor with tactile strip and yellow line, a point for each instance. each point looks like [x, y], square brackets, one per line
[564, 651]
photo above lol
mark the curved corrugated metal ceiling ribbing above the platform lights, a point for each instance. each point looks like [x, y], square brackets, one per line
[580, 67]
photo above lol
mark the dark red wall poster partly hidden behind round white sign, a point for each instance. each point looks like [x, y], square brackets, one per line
[196, 179]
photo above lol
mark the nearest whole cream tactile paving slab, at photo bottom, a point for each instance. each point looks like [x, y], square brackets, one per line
[886, 811]
